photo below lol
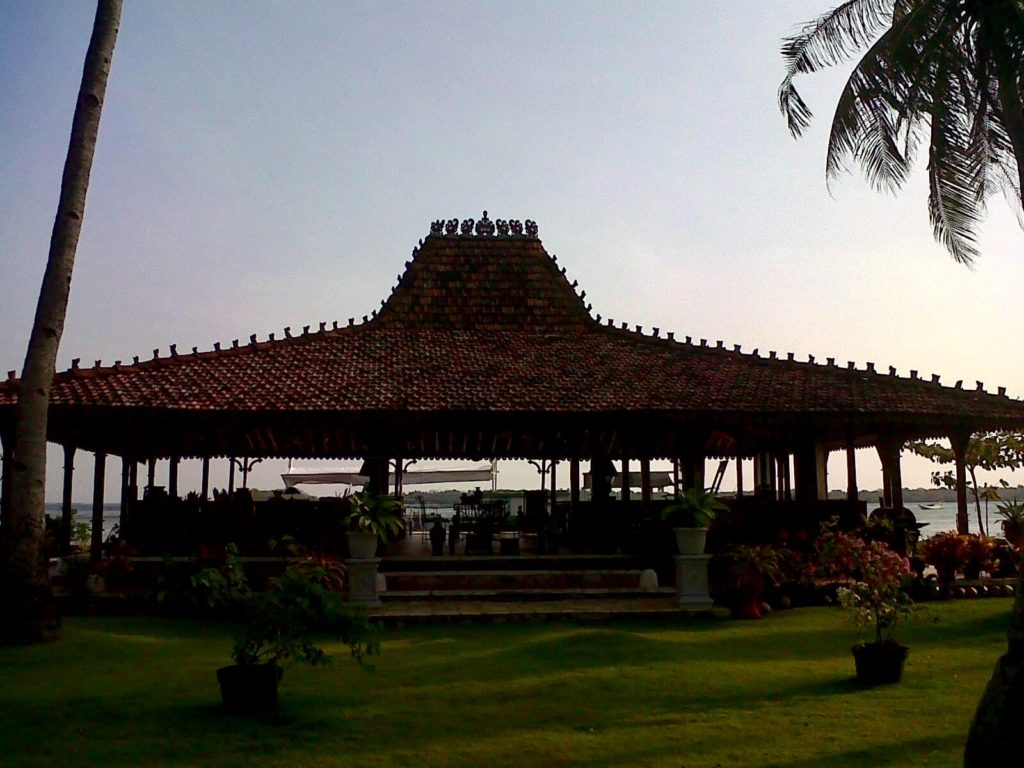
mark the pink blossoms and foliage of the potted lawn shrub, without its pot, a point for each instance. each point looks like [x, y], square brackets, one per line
[877, 580]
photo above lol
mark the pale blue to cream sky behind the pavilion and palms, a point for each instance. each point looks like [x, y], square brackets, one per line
[274, 164]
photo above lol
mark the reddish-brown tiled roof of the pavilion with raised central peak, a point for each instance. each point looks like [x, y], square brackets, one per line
[491, 324]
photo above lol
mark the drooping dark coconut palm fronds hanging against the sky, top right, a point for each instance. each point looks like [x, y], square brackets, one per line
[949, 70]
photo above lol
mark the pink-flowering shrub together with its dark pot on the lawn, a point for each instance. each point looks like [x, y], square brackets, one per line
[876, 595]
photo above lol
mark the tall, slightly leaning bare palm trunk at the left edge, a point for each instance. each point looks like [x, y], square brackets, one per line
[25, 596]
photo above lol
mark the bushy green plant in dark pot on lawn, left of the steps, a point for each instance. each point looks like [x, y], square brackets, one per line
[284, 625]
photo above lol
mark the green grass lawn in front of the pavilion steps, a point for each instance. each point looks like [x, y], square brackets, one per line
[777, 693]
